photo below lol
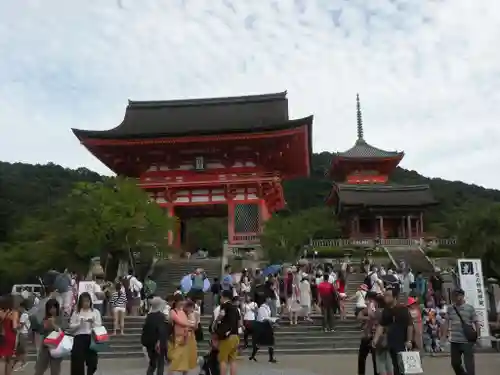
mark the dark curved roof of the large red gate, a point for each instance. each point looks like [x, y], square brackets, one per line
[175, 118]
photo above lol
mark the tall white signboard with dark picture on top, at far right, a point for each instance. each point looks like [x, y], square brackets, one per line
[471, 281]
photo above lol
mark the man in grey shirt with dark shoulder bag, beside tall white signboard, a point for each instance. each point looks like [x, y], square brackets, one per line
[459, 345]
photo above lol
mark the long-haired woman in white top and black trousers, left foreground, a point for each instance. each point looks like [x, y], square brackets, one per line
[83, 320]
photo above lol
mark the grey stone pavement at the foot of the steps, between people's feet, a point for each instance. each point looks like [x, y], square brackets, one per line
[486, 364]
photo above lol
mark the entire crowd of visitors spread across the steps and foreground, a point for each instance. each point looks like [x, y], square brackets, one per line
[397, 312]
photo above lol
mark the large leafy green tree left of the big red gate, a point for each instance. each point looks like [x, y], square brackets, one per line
[112, 219]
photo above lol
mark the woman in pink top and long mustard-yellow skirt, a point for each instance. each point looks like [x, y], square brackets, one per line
[178, 347]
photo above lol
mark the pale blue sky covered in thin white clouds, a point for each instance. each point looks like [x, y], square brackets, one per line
[428, 71]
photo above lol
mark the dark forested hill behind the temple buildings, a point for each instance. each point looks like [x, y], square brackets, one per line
[27, 189]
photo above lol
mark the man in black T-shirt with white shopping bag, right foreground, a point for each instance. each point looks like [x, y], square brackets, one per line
[397, 322]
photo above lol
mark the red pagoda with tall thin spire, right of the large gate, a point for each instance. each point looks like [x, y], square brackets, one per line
[368, 205]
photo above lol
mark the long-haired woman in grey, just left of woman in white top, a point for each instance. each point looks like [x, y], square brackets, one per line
[51, 322]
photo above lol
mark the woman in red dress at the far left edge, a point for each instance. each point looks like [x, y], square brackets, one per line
[9, 322]
